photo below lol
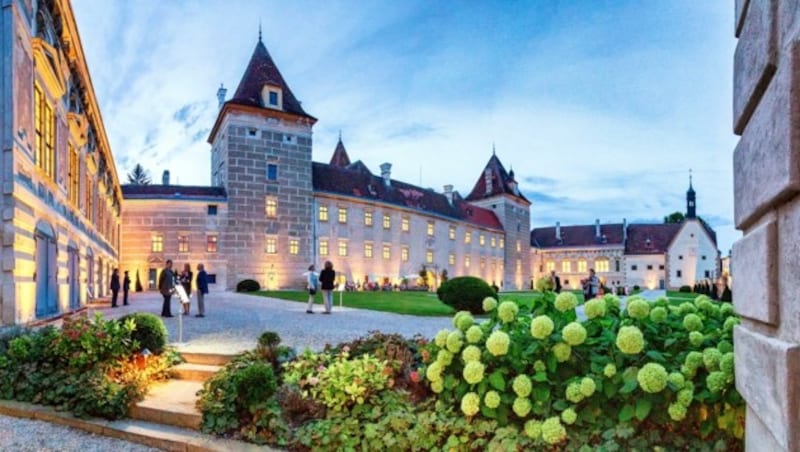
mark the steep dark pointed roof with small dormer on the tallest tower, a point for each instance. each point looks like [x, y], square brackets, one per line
[262, 71]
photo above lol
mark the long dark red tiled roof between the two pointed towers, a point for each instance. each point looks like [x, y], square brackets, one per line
[357, 181]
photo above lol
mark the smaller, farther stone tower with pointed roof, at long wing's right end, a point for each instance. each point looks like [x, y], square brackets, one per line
[497, 190]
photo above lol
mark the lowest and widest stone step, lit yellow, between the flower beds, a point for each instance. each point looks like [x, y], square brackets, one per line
[170, 403]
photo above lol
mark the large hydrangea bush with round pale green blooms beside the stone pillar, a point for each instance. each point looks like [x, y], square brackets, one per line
[652, 374]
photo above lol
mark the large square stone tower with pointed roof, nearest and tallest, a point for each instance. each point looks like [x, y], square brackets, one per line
[261, 155]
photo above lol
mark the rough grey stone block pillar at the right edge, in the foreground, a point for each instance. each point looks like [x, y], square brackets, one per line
[766, 261]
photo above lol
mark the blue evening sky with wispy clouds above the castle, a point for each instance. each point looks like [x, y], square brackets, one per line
[600, 107]
